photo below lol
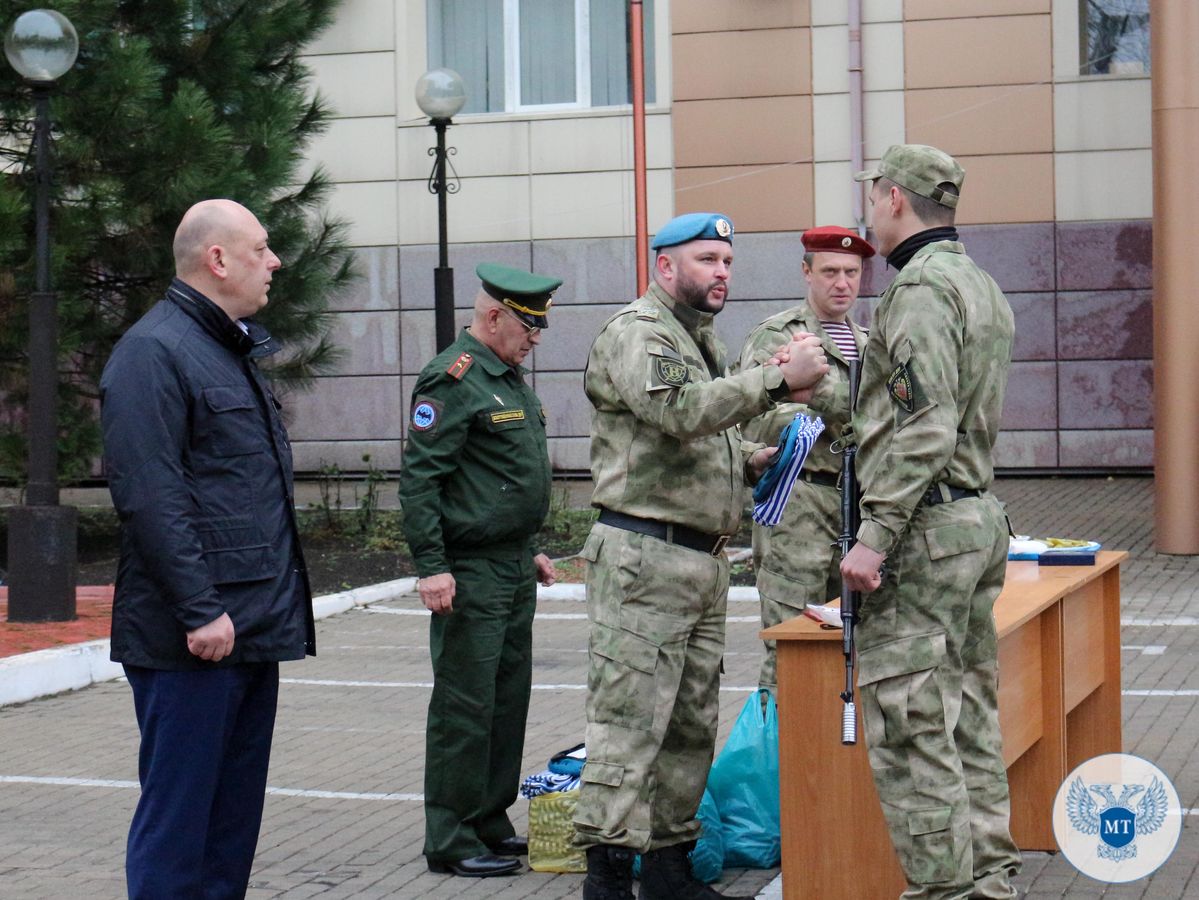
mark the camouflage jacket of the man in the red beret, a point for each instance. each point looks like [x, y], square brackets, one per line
[830, 398]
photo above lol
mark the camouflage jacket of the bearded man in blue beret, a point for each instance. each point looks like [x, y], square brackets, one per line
[664, 438]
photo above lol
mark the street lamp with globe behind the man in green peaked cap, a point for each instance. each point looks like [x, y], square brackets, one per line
[441, 95]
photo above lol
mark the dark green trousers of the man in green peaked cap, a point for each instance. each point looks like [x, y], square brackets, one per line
[483, 674]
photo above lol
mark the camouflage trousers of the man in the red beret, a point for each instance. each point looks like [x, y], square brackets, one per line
[797, 563]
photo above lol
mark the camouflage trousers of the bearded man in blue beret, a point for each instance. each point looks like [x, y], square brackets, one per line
[658, 639]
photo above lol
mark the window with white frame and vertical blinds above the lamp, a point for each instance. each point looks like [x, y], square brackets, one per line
[539, 56]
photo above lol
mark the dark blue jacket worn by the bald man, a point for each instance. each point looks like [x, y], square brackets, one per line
[200, 468]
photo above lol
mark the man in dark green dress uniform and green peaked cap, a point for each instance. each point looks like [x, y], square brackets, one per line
[475, 491]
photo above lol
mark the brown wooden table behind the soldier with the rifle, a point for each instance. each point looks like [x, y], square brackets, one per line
[1059, 705]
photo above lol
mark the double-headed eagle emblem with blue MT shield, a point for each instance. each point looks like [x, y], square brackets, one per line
[1118, 822]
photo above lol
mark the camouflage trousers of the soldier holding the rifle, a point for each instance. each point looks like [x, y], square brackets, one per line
[930, 704]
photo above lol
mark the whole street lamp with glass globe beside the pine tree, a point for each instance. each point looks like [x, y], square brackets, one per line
[41, 45]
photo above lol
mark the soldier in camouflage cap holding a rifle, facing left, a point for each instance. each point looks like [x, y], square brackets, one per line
[926, 421]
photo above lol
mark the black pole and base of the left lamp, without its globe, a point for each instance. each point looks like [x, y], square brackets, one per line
[43, 554]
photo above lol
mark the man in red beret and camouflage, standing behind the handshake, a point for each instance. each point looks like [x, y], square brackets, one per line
[798, 561]
